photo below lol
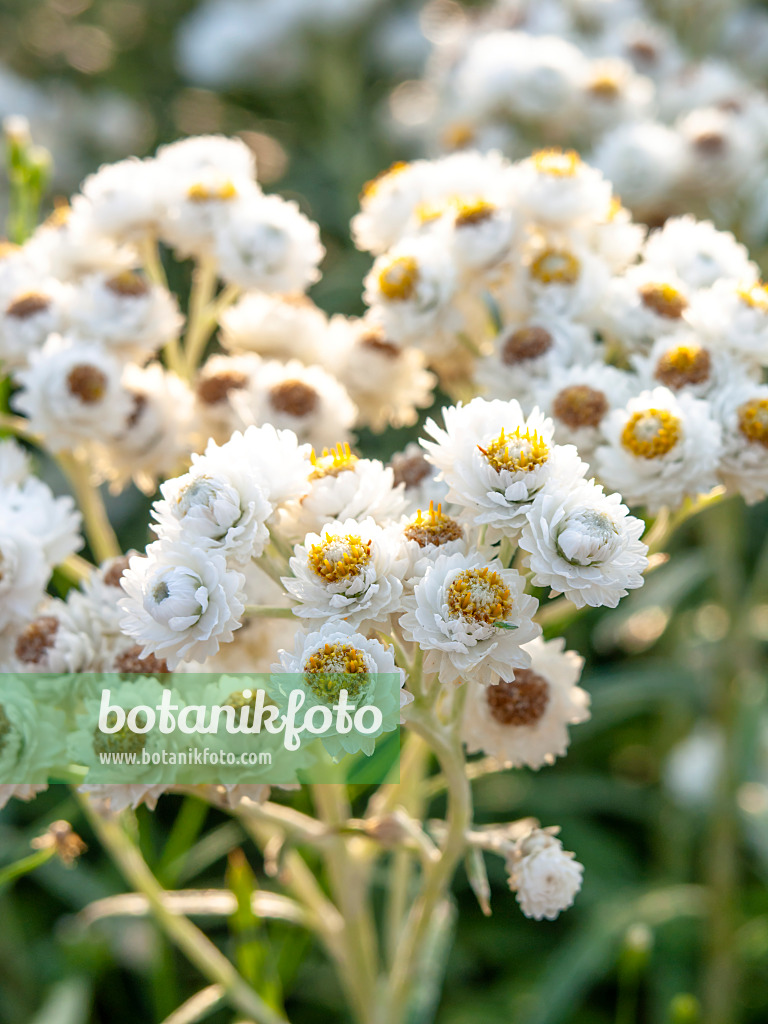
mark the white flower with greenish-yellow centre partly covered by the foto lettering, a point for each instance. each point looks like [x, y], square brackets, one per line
[337, 658]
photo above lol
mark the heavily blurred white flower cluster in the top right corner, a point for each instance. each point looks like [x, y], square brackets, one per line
[675, 133]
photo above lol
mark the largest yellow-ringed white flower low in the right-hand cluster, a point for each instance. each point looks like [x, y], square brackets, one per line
[660, 450]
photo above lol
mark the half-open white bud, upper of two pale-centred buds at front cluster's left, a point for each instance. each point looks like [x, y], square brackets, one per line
[227, 513]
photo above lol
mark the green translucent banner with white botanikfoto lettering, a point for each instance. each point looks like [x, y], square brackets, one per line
[191, 730]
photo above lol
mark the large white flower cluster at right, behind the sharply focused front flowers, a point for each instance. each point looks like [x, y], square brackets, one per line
[529, 281]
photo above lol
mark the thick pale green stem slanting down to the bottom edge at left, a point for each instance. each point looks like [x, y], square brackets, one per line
[194, 944]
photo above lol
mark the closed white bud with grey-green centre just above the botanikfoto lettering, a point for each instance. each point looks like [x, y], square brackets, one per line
[182, 603]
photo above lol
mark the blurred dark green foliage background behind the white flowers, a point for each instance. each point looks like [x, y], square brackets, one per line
[680, 664]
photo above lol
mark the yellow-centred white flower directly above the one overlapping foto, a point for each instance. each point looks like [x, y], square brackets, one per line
[352, 572]
